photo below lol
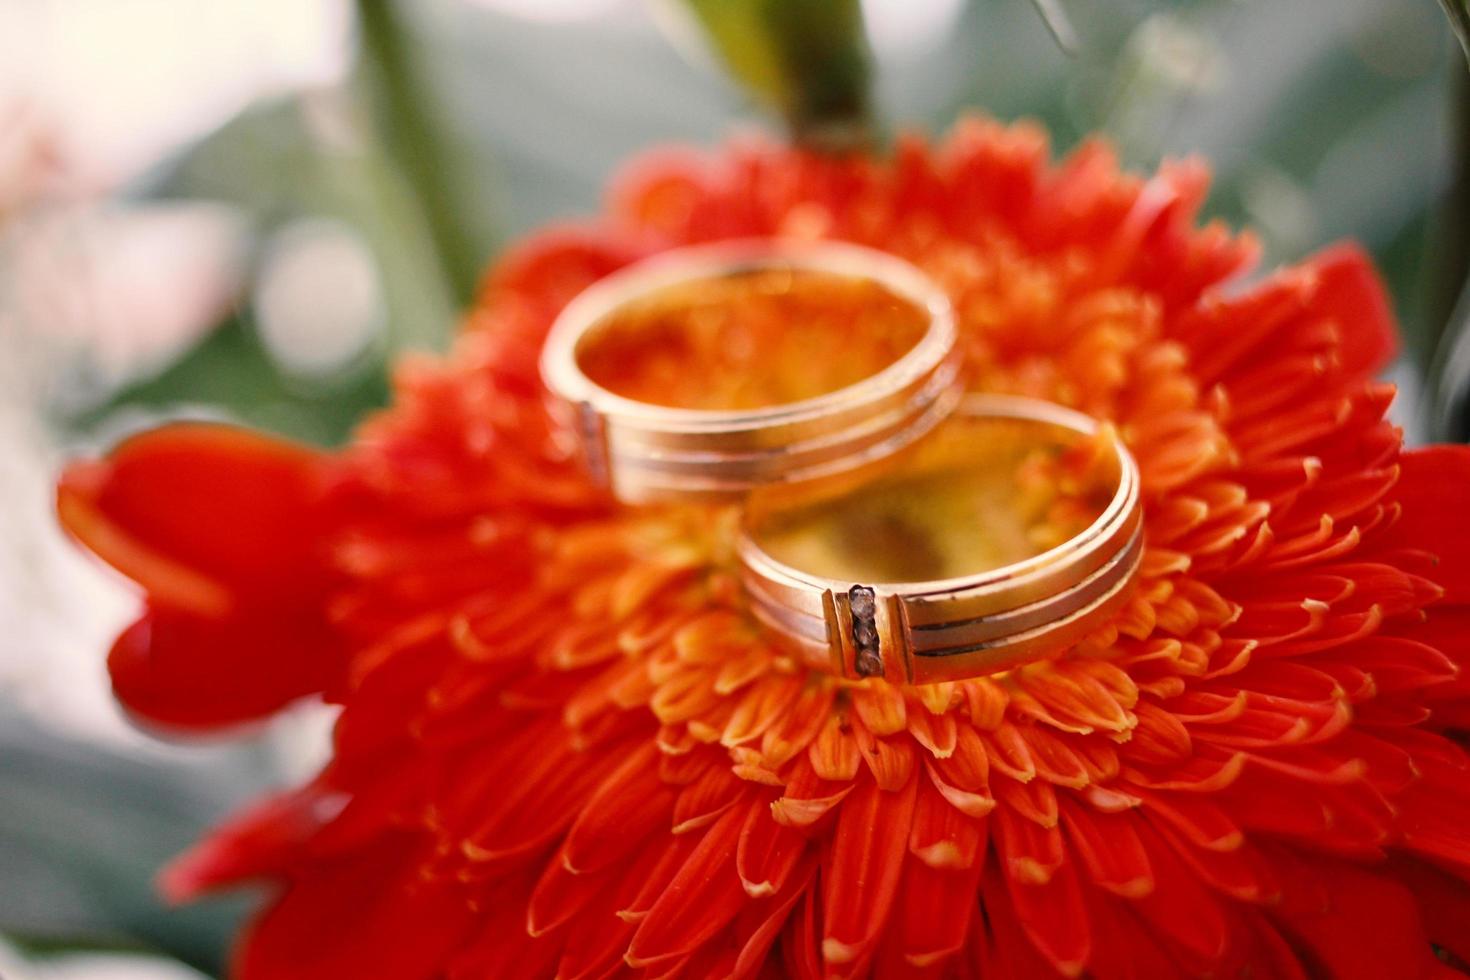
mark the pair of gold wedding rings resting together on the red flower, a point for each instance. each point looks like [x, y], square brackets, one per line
[893, 525]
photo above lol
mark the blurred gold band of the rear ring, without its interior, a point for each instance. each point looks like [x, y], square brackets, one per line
[648, 452]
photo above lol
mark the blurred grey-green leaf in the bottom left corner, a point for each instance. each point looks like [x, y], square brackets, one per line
[83, 832]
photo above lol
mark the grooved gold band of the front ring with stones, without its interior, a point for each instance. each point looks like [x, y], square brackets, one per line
[922, 633]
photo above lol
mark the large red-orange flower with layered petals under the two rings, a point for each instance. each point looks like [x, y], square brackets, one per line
[567, 750]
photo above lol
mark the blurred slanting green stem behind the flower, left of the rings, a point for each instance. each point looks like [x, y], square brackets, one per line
[415, 142]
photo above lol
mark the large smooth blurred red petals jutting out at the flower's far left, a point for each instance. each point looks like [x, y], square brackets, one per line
[223, 528]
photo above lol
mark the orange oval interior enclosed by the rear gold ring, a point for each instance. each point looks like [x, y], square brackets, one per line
[750, 340]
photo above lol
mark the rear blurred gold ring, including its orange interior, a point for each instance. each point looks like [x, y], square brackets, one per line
[709, 371]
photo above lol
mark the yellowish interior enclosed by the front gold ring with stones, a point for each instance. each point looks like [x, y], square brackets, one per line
[975, 496]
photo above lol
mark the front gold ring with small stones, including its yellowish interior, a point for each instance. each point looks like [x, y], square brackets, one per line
[911, 571]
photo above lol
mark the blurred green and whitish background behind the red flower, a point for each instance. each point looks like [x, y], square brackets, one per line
[245, 209]
